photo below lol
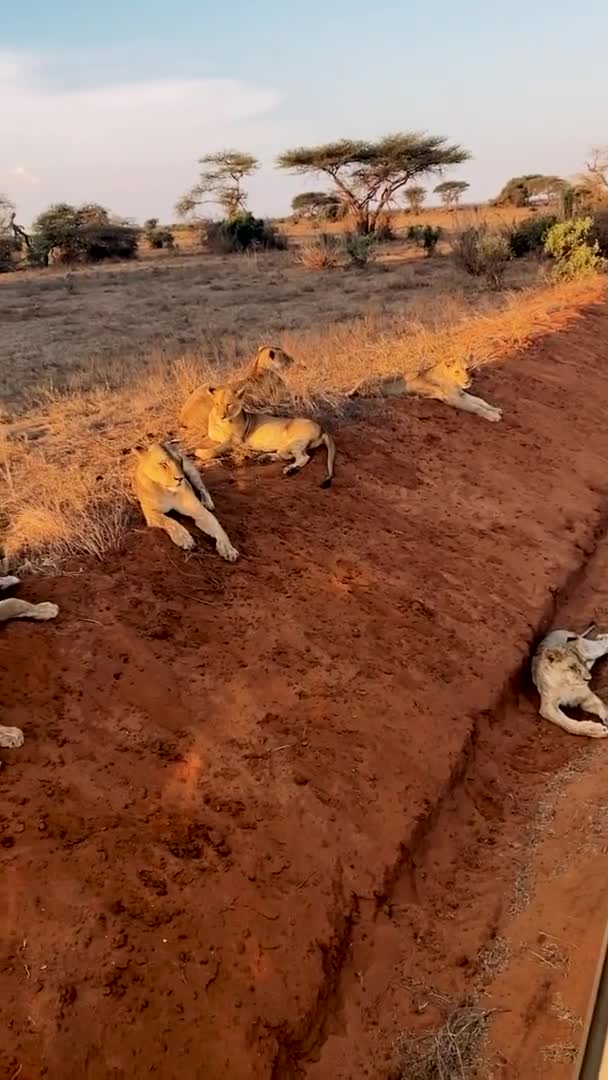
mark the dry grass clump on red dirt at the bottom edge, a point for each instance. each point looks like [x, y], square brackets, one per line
[450, 1052]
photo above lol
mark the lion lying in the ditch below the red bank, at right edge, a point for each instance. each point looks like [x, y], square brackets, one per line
[562, 672]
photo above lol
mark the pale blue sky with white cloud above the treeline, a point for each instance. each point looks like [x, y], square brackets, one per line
[114, 102]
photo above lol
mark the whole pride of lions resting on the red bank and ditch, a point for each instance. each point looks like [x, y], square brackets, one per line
[231, 418]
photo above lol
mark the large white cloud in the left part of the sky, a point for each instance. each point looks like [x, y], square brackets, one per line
[132, 146]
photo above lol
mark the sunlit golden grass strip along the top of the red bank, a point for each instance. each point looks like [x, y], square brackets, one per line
[65, 467]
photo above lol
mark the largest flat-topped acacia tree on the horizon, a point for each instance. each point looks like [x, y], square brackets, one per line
[370, 177]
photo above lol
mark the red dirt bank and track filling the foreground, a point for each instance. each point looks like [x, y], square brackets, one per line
[260, 807]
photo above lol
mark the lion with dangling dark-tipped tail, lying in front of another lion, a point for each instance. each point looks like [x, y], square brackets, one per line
[231, 426]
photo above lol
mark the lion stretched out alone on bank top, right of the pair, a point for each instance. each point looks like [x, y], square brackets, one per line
[447, 383]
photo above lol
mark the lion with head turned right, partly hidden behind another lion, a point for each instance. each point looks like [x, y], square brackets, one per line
[262, 383]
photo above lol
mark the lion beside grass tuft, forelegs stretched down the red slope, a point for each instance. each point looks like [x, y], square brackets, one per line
[165, 481]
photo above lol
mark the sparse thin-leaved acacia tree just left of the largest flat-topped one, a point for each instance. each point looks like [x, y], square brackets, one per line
[221, 182]
